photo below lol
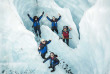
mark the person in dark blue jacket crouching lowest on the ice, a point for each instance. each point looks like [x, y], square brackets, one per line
[53, 61]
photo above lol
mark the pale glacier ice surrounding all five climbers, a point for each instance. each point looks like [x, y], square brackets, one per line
[18, 48]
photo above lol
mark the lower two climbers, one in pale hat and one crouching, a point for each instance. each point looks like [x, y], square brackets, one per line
[52, 57]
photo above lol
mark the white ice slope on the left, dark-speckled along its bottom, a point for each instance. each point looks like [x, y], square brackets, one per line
[18, 52]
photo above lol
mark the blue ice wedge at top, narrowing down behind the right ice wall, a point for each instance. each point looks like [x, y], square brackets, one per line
[77, 8]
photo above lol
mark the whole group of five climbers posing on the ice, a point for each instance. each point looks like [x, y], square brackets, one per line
[43, 45]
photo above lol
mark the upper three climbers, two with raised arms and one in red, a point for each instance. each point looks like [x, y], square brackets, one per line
[36, 26]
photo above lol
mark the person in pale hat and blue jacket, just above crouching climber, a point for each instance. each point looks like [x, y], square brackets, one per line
[43, 47]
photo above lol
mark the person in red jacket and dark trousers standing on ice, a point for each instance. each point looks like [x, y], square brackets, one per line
[65, 34]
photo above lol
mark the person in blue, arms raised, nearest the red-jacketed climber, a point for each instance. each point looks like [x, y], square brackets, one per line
[54, 22]
